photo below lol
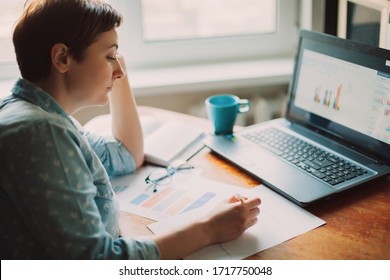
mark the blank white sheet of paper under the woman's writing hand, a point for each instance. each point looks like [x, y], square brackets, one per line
[279, 221]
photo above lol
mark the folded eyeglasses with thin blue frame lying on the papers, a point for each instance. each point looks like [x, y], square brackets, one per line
[163, 176]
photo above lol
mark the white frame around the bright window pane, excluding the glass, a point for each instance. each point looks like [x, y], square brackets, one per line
[141, 55]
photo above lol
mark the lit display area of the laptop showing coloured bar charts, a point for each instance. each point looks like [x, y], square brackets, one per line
[343, 92]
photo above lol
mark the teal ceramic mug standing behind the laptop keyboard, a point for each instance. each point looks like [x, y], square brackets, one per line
[223, 109]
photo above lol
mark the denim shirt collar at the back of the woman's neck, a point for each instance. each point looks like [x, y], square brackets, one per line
[32, 93]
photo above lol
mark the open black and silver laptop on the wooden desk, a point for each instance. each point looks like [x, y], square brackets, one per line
[336, 131]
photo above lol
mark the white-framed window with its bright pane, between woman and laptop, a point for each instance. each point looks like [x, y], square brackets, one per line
[178, 32]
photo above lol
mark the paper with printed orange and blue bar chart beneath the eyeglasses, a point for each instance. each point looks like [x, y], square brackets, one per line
[187, 193]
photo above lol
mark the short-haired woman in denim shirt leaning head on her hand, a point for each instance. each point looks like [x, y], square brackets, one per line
[56, 200]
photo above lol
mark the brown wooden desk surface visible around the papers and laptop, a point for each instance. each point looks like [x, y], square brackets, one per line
[357, 222]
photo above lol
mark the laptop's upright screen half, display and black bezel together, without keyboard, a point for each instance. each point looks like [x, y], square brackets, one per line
[343, 88]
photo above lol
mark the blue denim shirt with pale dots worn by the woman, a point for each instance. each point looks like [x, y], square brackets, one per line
[56, 200]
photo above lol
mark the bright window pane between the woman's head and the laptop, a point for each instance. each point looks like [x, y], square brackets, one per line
[186, 19]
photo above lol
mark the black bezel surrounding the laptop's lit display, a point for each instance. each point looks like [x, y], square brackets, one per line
[369, 56]
